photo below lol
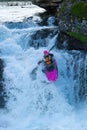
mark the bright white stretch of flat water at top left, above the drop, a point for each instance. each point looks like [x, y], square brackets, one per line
[18, 13]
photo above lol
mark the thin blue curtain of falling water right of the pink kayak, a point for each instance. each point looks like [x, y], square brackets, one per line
[75, 76]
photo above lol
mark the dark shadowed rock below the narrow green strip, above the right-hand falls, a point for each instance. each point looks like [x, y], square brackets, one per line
[67, 42]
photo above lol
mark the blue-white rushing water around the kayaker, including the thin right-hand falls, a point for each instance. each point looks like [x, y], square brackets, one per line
[32, 102]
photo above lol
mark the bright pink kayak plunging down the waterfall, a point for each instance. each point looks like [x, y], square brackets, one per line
[52, 72]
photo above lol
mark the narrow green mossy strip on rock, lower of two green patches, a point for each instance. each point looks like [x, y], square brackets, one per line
[81, 37]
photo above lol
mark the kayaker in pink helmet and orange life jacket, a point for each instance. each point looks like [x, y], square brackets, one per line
[48, 61]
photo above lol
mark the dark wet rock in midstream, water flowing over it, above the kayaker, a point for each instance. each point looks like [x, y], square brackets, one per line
[39, 38]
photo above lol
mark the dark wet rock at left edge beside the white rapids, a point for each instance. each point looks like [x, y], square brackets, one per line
[2, 101]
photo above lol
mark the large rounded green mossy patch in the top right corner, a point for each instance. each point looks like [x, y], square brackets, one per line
[79, 10]
